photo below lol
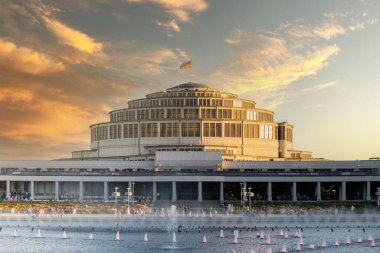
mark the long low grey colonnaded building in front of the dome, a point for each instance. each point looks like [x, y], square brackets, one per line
[191, 176]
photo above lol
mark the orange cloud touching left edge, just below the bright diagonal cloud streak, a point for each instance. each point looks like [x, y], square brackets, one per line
[26, 60]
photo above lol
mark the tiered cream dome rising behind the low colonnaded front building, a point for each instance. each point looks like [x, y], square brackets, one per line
[192, 117]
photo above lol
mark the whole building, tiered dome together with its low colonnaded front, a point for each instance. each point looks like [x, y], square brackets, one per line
[195, 144]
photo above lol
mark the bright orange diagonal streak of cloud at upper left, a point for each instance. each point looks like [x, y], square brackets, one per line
[73, 38]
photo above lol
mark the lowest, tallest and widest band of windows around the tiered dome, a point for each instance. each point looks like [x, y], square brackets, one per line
[188, 129]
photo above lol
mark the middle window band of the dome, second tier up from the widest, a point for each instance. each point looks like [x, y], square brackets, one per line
[189, 113]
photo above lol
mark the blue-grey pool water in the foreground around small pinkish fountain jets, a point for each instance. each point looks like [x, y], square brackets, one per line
[52, 241]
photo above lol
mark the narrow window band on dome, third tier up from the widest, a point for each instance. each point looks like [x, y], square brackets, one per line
[166, 102]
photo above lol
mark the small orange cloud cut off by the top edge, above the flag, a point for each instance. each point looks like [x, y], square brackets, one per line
[180, 9]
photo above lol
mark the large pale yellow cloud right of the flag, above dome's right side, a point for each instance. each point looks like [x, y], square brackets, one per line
[272, 64]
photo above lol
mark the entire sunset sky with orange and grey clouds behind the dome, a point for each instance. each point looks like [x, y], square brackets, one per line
[65, 64]
